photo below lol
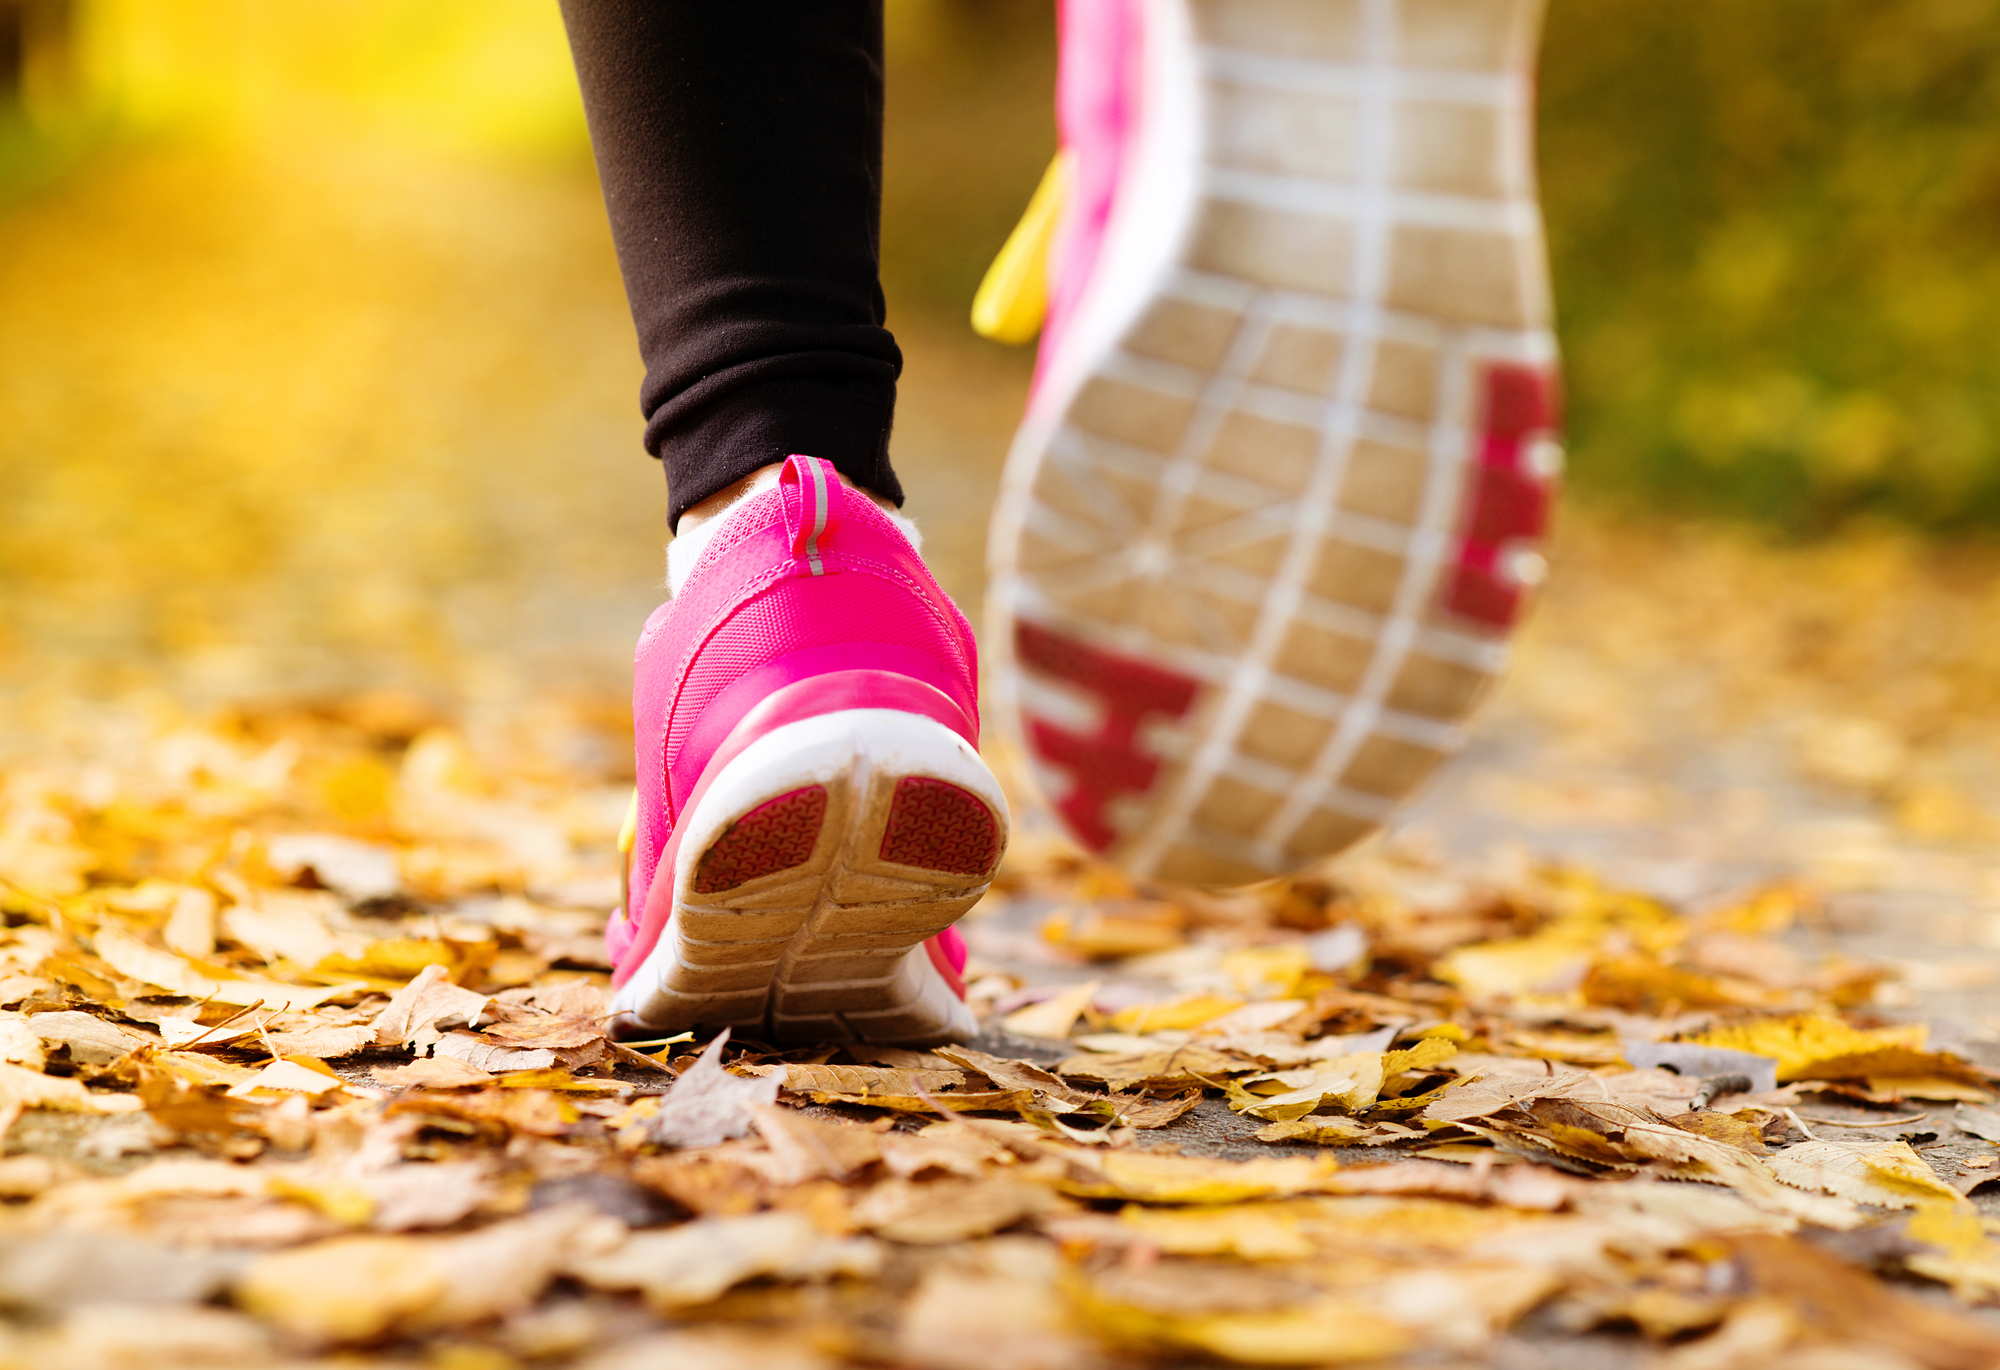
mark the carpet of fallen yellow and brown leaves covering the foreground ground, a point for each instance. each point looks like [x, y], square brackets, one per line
[303, 1057]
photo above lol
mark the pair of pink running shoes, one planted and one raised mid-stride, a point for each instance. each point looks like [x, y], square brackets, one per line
[1261, 541]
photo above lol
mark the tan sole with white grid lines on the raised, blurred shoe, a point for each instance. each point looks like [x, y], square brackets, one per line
[1281, 493]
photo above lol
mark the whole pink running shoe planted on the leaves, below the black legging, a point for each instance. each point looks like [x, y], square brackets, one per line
[813, 809]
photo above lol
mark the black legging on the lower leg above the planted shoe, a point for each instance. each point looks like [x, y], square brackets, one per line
[741, 153]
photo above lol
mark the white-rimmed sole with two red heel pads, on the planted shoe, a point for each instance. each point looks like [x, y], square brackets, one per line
[809, 879]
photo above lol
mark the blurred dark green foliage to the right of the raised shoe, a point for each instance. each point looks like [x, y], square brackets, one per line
[1777, 251]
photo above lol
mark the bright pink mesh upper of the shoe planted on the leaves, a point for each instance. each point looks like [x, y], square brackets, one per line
[757, 601]
